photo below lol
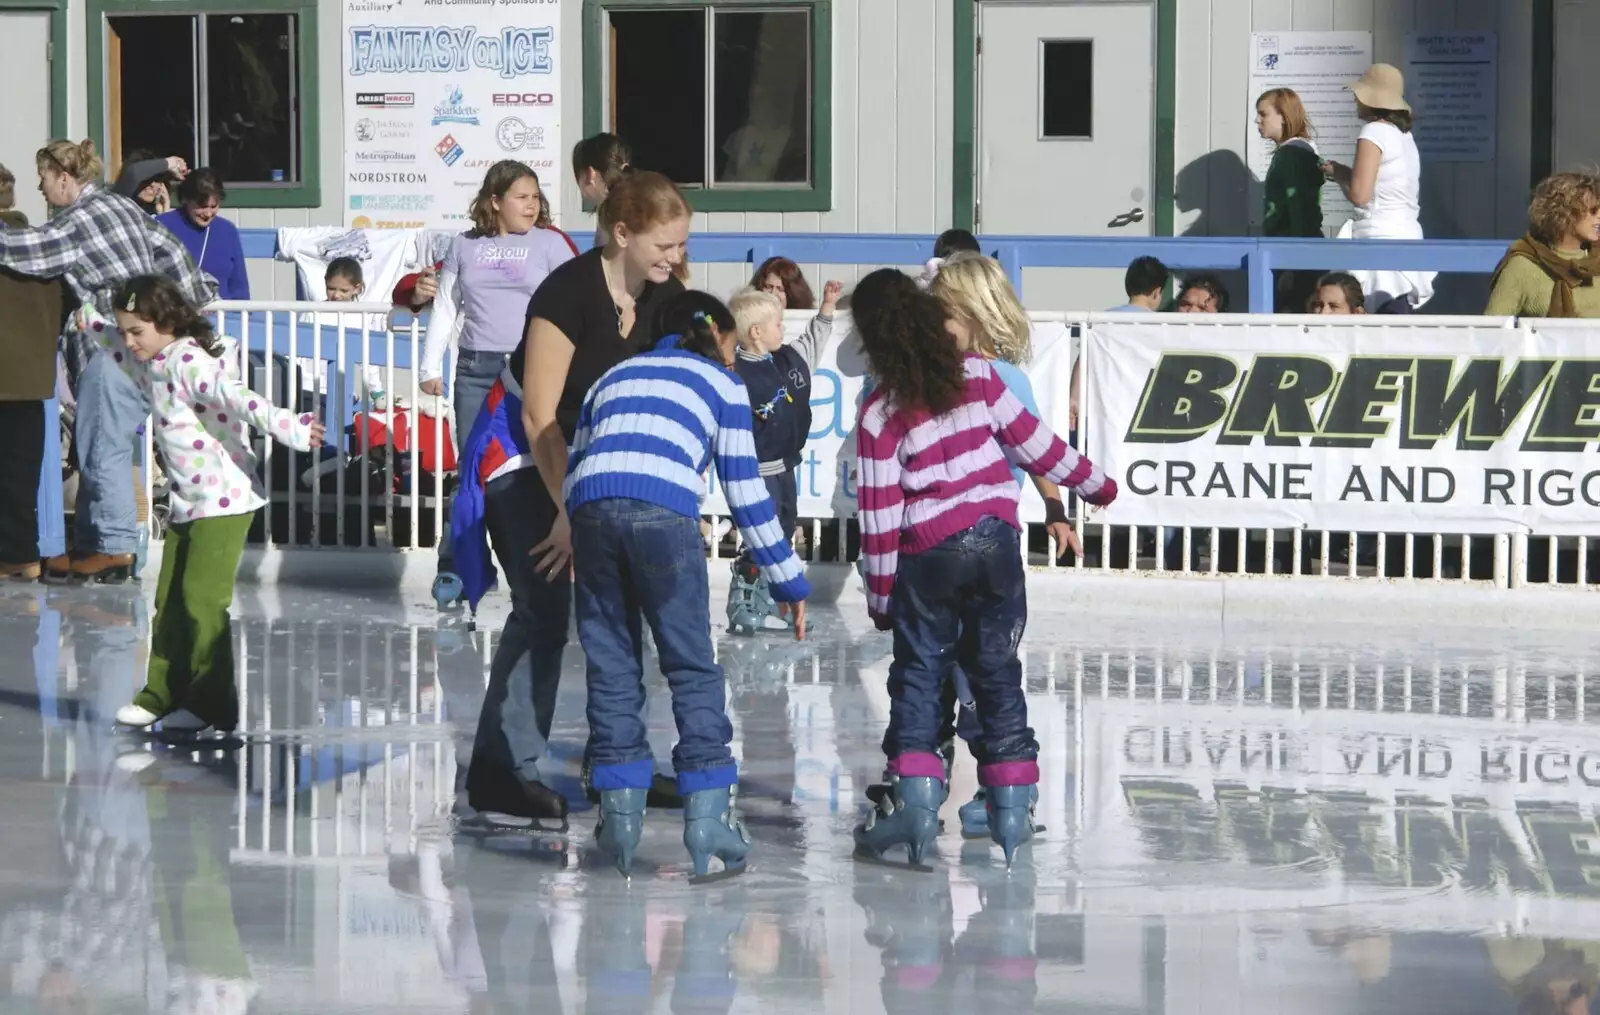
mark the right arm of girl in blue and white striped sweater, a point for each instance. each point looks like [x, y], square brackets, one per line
[753, 510]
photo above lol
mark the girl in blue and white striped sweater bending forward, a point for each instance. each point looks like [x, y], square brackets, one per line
[646, 436]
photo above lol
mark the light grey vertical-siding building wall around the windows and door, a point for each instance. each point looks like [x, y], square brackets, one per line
[894, 100]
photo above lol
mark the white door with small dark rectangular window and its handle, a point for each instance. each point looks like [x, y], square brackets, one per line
[1066, 119]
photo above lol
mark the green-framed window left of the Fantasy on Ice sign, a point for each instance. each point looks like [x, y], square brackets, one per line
[236, 92]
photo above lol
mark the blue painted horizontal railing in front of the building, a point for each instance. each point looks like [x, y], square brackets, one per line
[1258, 259]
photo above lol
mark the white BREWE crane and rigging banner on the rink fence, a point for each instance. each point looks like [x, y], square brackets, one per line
[1473, 430]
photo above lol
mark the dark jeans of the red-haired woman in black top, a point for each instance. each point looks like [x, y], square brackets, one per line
[519, 704]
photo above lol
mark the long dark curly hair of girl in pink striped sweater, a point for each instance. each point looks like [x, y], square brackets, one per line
[914, 359]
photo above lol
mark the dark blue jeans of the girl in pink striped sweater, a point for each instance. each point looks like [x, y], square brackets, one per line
[962, 601]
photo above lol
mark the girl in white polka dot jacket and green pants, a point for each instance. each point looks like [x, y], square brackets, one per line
[202, 415]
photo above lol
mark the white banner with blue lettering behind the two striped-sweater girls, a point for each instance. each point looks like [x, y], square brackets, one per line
[828, 470]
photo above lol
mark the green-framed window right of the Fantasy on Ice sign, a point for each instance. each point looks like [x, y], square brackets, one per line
[730, 98]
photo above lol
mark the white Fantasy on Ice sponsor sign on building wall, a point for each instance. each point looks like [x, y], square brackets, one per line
[438, 94]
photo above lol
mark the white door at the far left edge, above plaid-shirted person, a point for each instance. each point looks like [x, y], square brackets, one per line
[25, 116]
